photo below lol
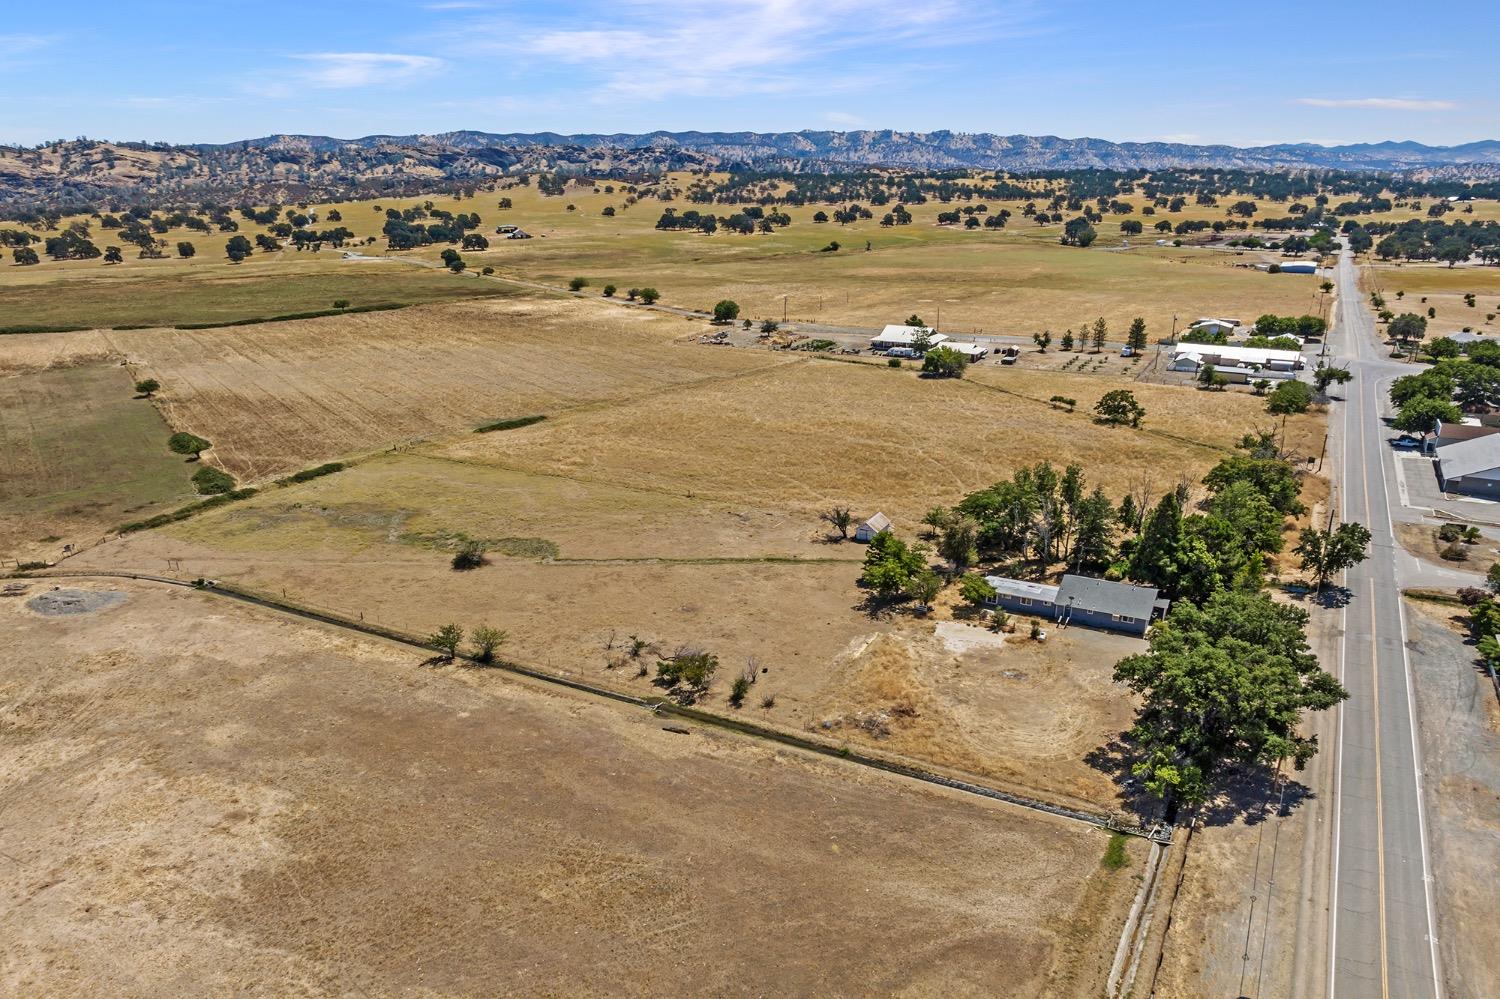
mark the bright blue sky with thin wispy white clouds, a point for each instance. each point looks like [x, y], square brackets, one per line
[1202, 73]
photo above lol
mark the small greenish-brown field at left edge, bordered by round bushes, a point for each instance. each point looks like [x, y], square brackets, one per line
[79, 454]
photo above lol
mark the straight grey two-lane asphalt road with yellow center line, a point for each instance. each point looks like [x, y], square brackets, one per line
[1382, 925]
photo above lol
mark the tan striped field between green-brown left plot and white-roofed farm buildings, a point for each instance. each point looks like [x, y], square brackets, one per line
[281, 397]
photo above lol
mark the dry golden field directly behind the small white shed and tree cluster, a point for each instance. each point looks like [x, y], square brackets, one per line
[808, 436]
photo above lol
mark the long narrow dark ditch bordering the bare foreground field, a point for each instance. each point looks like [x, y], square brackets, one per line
[656, 706]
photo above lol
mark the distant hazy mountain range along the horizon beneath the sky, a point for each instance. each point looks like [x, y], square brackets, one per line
[295, 167]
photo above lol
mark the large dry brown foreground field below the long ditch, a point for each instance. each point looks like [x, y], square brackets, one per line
[214, 799]
